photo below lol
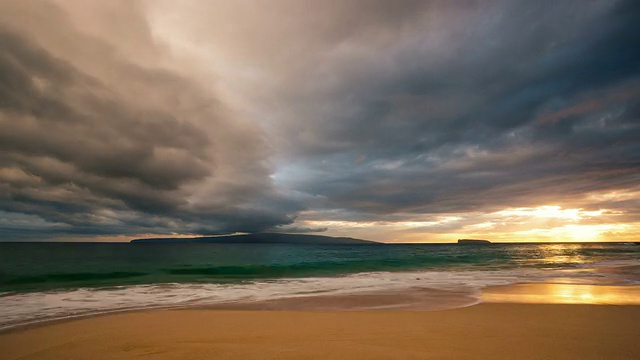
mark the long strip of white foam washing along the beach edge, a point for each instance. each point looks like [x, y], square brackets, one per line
[18, 309]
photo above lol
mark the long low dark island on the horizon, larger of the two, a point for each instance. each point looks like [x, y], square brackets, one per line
[263, 238]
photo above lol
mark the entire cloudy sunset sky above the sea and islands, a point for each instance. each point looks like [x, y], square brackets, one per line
[393, 121]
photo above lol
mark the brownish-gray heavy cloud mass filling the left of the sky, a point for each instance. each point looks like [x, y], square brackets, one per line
[139, 149]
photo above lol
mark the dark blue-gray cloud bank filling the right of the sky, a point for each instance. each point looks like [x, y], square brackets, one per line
[535, 104]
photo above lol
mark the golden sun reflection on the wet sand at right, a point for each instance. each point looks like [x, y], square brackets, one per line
[563, 294]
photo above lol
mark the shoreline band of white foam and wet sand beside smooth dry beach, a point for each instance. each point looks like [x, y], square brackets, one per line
[424, 289]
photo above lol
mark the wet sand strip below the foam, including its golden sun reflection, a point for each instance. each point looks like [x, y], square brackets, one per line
[410, 300]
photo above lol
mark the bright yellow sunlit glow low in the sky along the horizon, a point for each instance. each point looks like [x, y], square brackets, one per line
[545, 223]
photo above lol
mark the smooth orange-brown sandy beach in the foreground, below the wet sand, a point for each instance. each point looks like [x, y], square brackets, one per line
[485, 331]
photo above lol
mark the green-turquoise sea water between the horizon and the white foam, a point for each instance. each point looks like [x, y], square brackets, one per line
[51, 266]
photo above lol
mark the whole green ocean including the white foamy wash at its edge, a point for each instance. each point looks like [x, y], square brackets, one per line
[50, 281]
